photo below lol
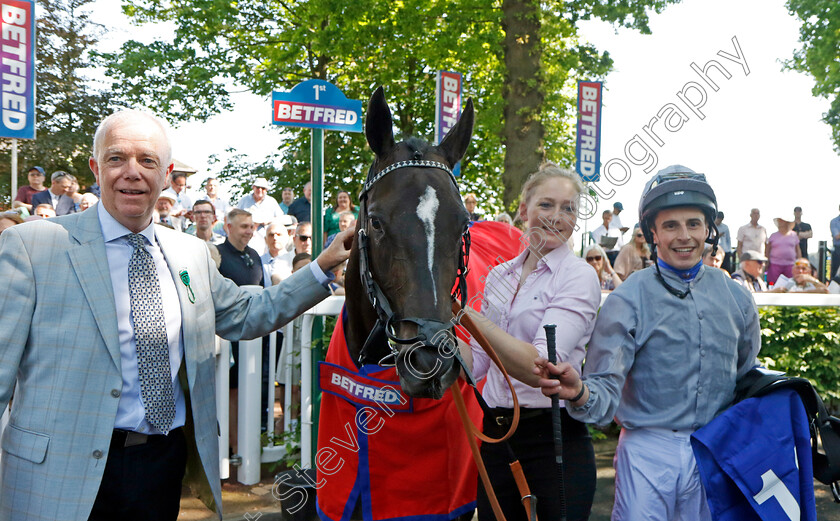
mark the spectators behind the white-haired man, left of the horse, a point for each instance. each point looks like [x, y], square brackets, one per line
[279, 233]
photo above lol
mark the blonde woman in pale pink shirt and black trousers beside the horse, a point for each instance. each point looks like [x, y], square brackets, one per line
[545, 284]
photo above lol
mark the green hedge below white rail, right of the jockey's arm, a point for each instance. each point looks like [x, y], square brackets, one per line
[804, 342]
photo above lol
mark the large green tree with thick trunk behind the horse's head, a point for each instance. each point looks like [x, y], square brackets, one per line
[358, 45]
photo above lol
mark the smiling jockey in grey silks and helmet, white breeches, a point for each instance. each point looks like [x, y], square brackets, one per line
[668, 347]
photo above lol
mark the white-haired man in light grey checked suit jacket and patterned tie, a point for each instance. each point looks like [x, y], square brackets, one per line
[80, 443]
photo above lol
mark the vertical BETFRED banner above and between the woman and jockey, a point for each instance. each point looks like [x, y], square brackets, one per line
[588, 148]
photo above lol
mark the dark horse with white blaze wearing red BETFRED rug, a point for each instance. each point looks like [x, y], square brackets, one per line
[398, 358]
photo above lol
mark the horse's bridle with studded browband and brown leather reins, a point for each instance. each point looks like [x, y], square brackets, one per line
[426, 330]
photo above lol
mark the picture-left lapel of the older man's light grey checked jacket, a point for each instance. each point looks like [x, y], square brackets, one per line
[90, 264]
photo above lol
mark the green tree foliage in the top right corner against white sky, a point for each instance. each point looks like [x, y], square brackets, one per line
[820, 54]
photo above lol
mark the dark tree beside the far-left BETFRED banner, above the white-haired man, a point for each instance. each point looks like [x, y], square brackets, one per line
[68, 109]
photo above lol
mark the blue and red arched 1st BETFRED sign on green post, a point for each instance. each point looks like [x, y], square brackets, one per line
[316, 104]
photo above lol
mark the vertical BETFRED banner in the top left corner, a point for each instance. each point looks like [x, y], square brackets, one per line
[17, 69]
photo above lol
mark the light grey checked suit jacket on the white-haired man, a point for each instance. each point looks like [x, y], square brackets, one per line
[59, 350]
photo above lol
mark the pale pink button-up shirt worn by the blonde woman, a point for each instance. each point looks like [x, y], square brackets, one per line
[562, 290]
